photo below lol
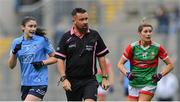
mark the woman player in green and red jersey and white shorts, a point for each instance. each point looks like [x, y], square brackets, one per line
[143, 56]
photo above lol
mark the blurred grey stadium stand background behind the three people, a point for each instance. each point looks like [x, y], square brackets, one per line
[116, 20]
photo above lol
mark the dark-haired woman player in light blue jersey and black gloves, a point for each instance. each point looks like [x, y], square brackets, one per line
[32, 49]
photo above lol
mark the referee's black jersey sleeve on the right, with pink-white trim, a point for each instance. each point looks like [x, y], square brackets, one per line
[101, 49]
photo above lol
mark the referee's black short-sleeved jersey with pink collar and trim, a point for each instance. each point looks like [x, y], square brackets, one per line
[80, 53]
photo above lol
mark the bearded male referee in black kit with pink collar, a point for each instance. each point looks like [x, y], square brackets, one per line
[76, 53]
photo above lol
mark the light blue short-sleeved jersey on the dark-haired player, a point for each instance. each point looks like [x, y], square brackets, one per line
[32, 50]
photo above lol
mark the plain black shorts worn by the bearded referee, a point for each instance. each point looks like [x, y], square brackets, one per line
[82, 89]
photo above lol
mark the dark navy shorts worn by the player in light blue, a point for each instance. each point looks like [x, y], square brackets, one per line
[38, 91]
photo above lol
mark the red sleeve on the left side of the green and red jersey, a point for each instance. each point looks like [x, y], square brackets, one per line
[127, 54]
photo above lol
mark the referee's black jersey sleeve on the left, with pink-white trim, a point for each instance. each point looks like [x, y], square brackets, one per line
[61, 49]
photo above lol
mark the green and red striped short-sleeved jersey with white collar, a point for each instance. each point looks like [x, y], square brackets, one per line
[144, 62]
